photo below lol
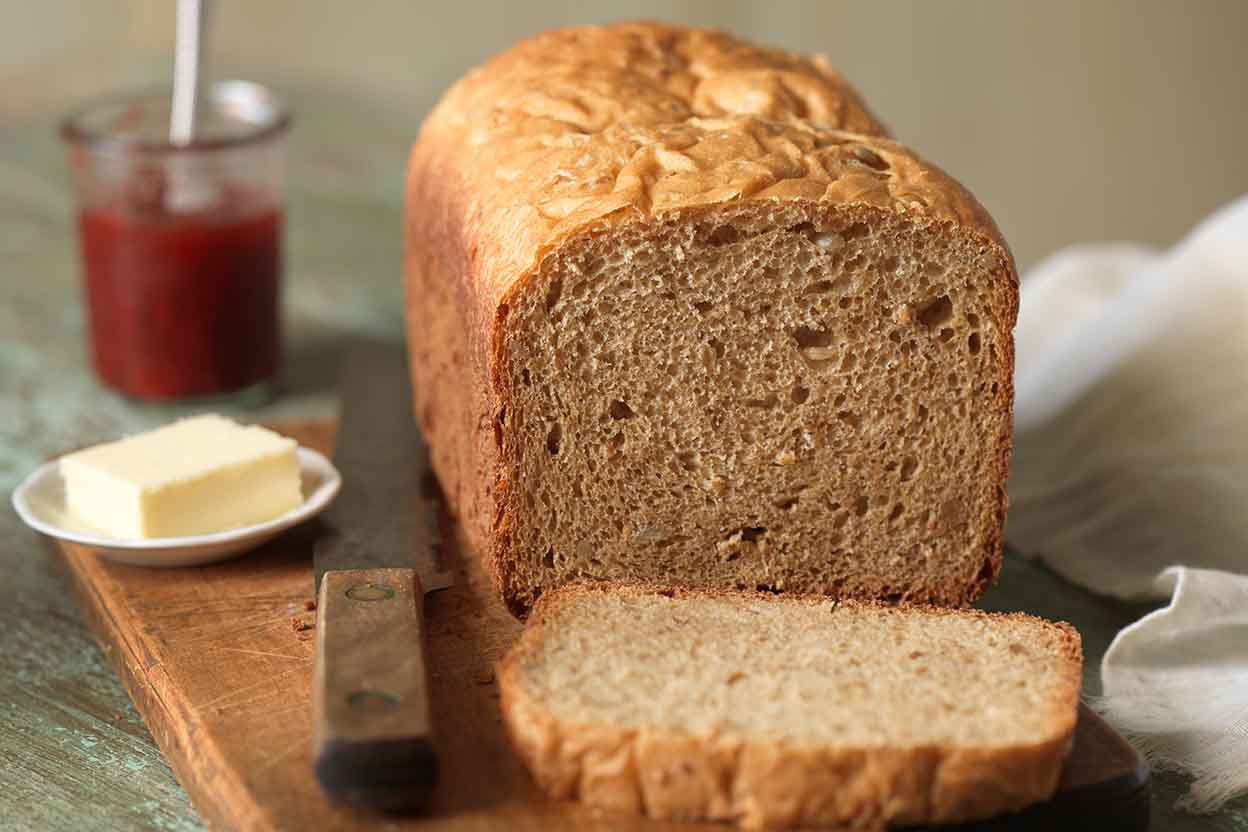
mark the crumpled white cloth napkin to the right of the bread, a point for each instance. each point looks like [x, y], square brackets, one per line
[1131, 478]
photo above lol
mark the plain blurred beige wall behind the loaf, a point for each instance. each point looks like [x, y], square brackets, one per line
[1073, 120]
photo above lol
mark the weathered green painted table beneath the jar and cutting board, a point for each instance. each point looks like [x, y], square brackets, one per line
[74, 754]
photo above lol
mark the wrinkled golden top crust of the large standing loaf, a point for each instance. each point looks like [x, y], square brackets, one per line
[592, 125]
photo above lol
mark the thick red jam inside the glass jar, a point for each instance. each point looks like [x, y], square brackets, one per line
[183, 305]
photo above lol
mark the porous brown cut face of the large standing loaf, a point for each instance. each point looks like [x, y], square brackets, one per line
[782, 397]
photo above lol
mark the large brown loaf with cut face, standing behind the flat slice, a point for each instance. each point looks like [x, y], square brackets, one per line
[681, 312]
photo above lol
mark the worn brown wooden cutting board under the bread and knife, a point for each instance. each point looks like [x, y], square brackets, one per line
[219, 662]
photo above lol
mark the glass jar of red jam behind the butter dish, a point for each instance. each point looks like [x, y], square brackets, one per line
[182, 245]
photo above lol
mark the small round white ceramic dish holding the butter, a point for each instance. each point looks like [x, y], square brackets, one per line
[41, 502]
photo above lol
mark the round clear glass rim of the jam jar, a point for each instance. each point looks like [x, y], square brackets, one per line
[259, 113]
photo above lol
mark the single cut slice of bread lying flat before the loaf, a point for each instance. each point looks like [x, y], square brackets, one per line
[789, 712]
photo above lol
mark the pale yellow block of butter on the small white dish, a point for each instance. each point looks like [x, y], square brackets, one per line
[194, 477]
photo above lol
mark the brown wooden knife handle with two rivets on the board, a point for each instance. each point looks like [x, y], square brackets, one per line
[371, 693]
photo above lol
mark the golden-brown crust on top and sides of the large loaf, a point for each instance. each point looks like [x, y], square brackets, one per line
[583, 129]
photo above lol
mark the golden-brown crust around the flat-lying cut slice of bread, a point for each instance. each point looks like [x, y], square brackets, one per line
[776, 784]
